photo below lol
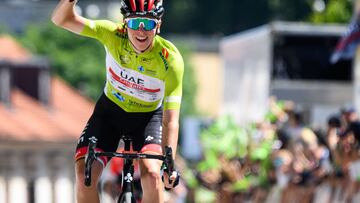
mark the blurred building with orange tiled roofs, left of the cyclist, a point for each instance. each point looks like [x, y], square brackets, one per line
[41, 118]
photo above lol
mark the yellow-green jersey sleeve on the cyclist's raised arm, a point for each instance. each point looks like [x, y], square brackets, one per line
[99, 29]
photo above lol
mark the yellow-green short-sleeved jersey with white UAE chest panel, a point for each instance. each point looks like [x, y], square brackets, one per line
[138, 82]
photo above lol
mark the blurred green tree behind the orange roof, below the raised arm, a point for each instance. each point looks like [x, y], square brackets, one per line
[76, 59]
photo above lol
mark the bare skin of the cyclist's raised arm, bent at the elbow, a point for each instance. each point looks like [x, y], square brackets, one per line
[64, 16]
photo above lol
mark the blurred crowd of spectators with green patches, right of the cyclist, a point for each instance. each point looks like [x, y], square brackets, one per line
[281, 159]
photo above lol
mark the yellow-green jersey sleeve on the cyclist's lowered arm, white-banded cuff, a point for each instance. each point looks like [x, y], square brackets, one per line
[173, 84]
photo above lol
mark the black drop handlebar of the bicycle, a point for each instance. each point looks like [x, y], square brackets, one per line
[92, 155]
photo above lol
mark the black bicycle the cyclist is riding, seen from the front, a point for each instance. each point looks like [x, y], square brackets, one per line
[126, 195]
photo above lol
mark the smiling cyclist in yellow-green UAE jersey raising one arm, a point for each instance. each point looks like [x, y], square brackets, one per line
[142, 94]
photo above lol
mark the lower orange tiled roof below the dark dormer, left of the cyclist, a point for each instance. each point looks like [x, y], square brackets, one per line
[29, 120]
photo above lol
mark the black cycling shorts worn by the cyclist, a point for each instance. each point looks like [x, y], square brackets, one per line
[109, 123]
